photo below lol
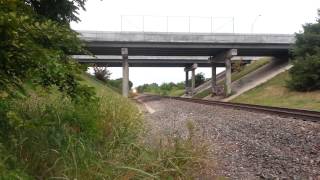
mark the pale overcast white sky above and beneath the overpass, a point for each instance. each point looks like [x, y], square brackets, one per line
[250, 16]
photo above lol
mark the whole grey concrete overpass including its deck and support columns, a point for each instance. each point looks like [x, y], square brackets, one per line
[189, 50]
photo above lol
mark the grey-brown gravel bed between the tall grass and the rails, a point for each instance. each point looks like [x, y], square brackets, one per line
[242, 144]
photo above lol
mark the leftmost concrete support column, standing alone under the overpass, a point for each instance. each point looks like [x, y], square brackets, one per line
[125, 72]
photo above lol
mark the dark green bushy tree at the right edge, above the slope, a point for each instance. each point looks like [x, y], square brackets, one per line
[305, 74]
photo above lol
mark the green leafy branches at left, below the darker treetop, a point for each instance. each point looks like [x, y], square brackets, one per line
[36, 50]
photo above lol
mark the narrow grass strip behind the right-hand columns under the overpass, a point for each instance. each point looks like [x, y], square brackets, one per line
[237, 75]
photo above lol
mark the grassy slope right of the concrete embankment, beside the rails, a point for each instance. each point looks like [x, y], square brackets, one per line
[275, 93]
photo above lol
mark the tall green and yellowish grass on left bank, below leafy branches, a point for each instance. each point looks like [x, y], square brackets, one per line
[48, 136]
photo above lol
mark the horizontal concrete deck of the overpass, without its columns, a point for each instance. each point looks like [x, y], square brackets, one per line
[181, 44]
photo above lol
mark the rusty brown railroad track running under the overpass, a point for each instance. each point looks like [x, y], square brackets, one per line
[305, 115]
